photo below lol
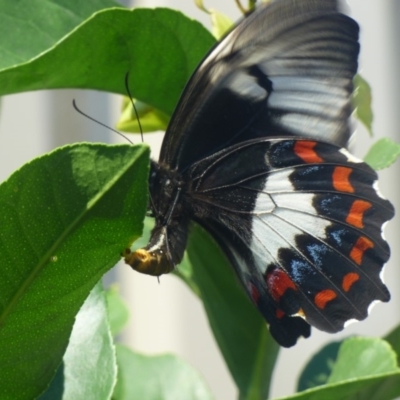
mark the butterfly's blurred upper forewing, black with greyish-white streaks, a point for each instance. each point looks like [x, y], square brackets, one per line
[287, 69]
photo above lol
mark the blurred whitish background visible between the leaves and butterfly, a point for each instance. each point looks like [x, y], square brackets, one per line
[166, 317]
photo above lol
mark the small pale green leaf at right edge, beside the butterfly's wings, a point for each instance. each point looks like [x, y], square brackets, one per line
[382, 154]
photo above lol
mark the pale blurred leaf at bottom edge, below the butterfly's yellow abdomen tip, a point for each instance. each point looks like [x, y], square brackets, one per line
[164, 377]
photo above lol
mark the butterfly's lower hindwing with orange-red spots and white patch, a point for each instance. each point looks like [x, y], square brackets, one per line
[302, 225]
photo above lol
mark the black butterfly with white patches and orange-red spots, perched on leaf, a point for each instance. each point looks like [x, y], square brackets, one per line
[256, 154]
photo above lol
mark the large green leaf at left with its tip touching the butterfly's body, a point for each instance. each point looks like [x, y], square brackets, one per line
[65, 219]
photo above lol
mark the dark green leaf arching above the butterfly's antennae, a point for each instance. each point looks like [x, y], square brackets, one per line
[136, 41]
